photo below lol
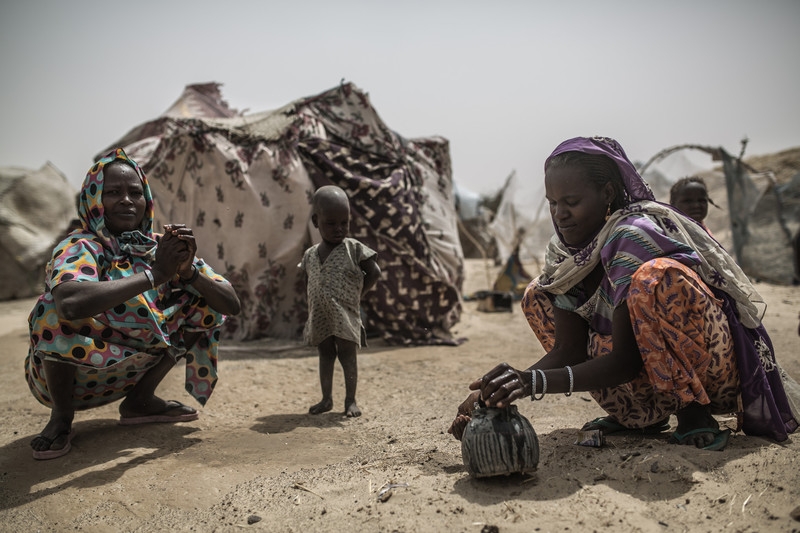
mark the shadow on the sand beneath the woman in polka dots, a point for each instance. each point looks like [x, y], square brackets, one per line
[95, 443]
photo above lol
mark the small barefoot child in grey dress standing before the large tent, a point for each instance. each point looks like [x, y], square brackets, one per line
[339, 271]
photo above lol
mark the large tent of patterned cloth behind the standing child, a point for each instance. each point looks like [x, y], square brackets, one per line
[243, 182]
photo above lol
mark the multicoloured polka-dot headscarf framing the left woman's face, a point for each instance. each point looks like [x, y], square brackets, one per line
[140, 242]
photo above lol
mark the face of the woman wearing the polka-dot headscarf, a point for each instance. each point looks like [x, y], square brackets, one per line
[123, 199]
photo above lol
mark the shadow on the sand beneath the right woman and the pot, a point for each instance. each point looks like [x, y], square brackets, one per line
[645, 467]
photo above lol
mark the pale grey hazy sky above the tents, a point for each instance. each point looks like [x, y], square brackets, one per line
[504, 81]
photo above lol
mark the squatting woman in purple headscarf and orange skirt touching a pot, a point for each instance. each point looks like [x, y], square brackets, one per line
[639, 306]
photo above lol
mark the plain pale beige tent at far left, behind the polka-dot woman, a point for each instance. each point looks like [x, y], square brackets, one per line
[36, 207]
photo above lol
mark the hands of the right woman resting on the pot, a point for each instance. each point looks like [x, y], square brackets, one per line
[498, 388]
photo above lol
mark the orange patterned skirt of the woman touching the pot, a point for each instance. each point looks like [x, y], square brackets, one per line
[684, 339]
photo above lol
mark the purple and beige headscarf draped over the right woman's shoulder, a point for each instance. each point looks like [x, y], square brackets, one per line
[564, 267]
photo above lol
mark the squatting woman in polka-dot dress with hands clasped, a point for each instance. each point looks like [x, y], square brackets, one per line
[121, 305]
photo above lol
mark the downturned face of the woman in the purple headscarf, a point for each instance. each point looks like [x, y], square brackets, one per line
[577, 207]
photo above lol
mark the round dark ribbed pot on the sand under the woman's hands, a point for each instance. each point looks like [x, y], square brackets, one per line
[499, 441]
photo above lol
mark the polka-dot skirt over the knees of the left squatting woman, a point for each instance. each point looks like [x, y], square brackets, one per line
[110, 361]
